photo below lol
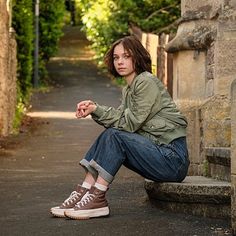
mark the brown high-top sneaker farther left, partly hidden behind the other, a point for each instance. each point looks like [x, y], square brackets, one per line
[70, 202]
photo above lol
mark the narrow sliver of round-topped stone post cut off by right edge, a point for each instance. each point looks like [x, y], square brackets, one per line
[233, 156]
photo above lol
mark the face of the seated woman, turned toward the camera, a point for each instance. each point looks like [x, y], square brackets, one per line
[123, 62]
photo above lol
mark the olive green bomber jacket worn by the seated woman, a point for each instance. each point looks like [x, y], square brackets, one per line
[146, 109]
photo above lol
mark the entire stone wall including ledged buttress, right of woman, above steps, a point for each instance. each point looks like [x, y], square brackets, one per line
[204, 67]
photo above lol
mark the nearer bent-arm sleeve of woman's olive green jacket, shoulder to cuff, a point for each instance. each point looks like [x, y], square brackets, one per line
[142, 99]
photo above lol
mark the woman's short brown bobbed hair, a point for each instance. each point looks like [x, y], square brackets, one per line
[140, 56]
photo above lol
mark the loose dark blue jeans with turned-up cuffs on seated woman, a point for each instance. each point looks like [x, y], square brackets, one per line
[114, 148]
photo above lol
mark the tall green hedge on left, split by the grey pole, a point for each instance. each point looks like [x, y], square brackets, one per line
[51, 23]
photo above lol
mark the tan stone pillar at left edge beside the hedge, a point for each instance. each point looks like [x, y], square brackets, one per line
[7, 72]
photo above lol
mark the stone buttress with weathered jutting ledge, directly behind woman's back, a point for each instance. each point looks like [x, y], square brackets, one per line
[193, 71]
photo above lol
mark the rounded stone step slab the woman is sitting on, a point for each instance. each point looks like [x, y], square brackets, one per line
[194, 189]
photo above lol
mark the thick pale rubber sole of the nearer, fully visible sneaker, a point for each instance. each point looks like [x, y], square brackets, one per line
[87, 214]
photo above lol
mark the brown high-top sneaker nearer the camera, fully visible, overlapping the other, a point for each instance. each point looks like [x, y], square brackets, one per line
[93, 205]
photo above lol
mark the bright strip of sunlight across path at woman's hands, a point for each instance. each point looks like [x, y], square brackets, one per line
[55, 115]
